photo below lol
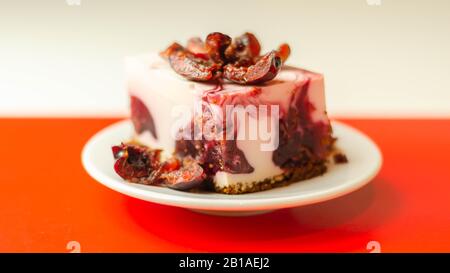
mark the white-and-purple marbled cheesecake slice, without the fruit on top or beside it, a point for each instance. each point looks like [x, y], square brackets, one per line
[297, 148]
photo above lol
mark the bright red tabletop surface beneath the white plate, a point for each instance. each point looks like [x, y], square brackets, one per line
[48, 200]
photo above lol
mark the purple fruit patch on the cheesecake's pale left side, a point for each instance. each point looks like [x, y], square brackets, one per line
[141, 117]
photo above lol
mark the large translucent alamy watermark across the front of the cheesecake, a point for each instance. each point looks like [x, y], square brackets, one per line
[207, 121]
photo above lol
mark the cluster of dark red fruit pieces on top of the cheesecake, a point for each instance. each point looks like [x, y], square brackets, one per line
[237, 60]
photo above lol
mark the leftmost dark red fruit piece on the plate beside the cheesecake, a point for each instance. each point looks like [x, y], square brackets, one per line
[135, 163]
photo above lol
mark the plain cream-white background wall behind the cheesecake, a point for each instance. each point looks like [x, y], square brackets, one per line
[388, 60]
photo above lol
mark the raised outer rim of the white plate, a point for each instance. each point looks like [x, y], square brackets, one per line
[230, 204]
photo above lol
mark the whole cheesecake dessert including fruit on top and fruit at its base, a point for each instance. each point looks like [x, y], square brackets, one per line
[219, 115]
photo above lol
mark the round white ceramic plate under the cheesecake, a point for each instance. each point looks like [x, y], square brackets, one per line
[364, 163]
